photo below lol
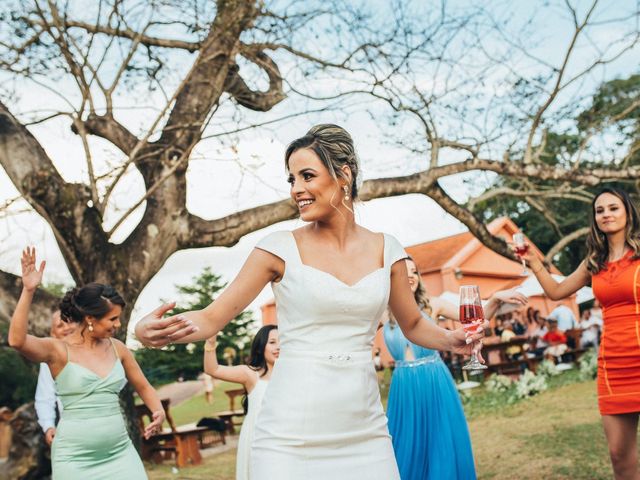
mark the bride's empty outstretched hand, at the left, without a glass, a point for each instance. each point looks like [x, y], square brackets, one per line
[154, 331]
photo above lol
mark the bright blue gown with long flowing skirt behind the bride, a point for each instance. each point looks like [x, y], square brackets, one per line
[430, 434]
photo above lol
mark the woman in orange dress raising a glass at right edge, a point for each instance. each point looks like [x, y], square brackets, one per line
[612, 266]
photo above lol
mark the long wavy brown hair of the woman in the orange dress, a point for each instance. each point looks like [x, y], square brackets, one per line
[597, 244]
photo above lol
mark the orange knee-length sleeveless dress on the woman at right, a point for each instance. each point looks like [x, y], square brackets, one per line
[618, 289]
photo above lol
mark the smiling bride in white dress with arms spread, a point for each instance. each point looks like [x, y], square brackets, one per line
[332, 280]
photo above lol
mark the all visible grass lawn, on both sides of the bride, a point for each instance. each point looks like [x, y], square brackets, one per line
[554, 435]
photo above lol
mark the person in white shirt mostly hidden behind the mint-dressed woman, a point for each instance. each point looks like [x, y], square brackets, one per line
[46, 399]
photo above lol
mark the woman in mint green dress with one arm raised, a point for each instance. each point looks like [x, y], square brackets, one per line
[90, 368]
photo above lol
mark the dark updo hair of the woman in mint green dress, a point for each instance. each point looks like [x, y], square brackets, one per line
[94, 299]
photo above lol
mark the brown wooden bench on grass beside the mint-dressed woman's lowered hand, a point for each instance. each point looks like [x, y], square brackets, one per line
[183, 442]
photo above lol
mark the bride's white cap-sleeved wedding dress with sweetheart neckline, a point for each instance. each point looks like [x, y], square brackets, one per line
[321, 417]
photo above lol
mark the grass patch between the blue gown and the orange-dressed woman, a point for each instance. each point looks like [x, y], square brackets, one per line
[554, 435]
